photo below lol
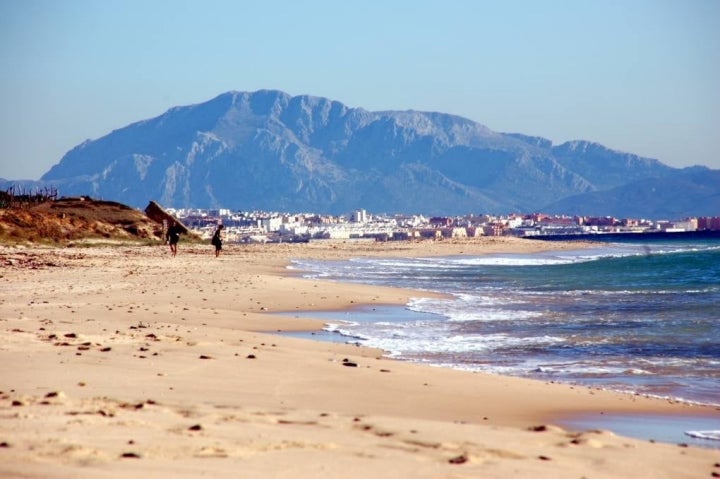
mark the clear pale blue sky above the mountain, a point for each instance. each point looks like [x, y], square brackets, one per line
[639, 76]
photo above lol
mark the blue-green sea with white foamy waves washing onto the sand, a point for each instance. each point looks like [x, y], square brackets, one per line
[640, 317]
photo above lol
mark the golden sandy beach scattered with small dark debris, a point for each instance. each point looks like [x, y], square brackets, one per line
[122, 361]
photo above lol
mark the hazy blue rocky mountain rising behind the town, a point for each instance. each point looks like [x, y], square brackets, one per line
[267, 150]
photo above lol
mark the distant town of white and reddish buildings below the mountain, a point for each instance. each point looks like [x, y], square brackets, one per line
[260, 226]
